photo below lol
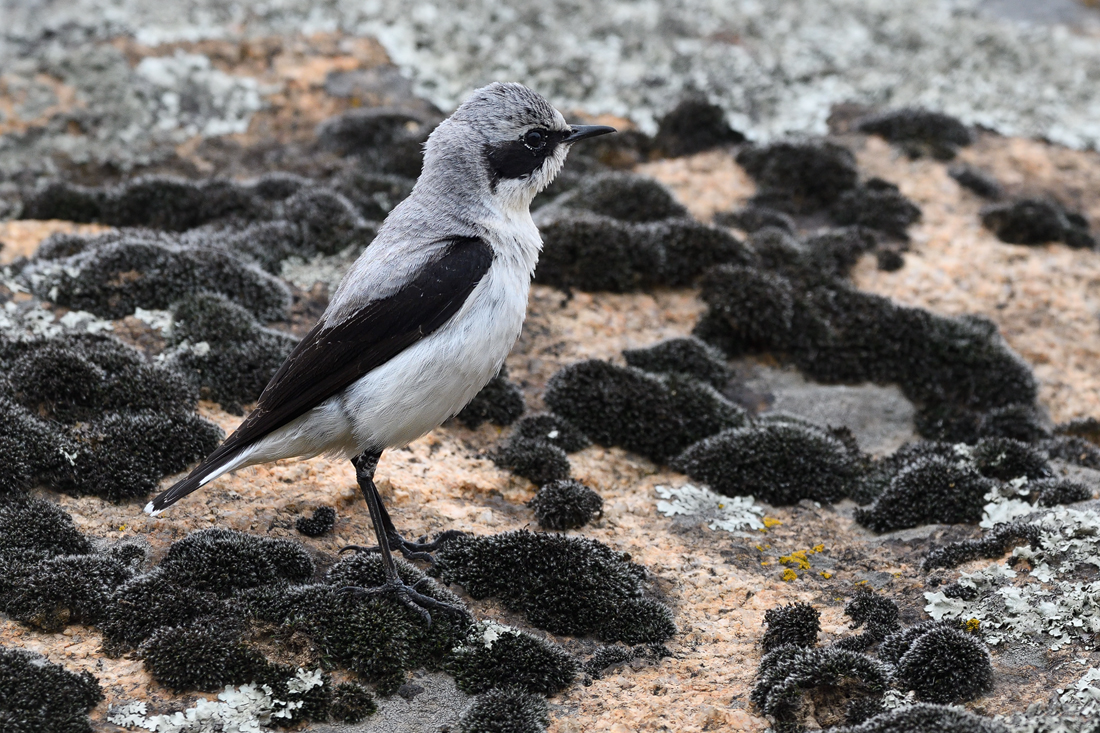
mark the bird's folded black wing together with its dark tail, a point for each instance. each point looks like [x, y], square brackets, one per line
[332, 358]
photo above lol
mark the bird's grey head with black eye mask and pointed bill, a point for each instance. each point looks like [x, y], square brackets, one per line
[510, 139]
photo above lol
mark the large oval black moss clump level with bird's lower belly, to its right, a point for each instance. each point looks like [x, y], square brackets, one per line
[656, 417]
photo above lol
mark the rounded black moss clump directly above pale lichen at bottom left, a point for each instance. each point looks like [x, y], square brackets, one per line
[205, 655]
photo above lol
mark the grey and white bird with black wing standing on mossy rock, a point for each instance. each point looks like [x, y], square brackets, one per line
[422, 321]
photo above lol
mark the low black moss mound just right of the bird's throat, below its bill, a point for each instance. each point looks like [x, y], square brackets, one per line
[624, 198]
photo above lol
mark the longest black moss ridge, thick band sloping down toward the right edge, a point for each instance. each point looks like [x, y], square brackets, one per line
[837, 334]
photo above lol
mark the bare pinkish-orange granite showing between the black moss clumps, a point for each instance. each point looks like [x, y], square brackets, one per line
[719, 585]
